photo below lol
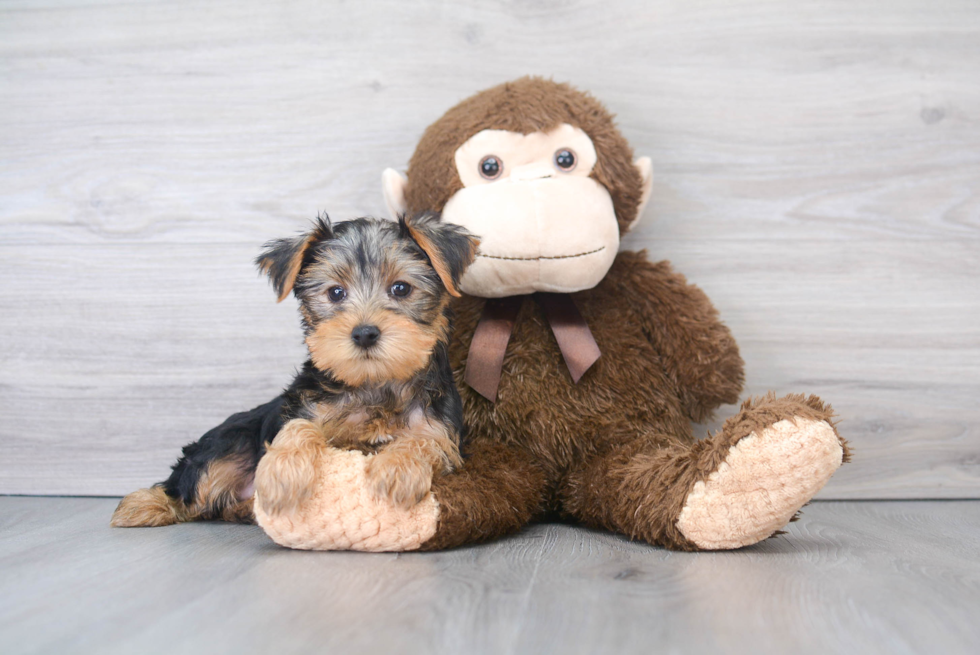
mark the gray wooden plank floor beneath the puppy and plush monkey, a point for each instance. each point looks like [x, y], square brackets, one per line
[850, 577]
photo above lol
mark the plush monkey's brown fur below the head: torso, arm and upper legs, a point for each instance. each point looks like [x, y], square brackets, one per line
[638, 398]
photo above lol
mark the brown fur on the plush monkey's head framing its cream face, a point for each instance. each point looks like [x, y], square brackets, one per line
[526, 105]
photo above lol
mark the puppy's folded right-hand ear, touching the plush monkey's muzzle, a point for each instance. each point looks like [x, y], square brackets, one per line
[450, 248]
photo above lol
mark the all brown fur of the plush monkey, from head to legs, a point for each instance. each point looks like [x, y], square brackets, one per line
[615, 450]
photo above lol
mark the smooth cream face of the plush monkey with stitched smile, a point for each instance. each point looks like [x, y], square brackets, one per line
[546, 229]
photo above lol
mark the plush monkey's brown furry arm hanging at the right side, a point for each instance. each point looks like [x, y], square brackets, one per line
[698, 351]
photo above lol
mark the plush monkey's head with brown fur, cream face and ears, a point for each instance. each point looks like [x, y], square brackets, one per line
[540, 173]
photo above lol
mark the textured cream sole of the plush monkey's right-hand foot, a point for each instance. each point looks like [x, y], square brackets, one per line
[763, 481]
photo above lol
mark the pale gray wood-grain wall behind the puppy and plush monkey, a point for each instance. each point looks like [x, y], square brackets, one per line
[817, 173]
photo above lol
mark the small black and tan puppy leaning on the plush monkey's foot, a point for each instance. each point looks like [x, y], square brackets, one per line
[374, 298]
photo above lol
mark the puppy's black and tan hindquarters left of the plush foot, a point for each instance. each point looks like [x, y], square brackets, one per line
[213, 477]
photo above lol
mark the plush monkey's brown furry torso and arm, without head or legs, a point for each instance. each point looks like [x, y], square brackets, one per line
[628, 391]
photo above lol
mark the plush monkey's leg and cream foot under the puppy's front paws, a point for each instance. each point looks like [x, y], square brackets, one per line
[495, 492]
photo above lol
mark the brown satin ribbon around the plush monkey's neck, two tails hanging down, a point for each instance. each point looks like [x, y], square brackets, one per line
[486, 356]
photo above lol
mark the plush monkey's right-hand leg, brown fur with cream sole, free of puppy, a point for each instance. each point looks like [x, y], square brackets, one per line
[730, 490]
